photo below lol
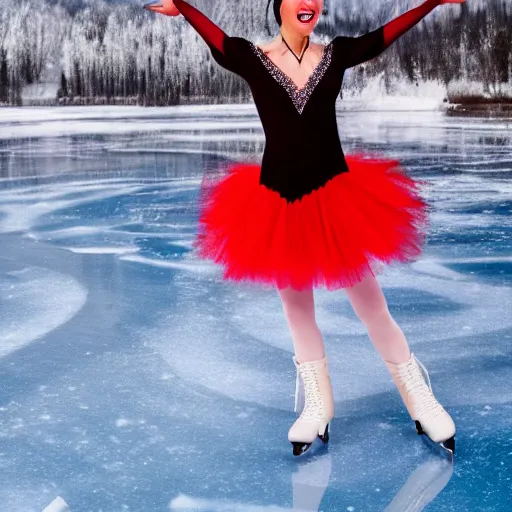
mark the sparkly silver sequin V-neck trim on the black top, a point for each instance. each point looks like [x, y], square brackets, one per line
[298, 96]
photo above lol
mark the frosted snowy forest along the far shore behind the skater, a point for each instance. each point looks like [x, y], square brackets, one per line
[100, 52]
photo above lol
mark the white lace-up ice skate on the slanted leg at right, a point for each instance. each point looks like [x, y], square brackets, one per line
[413, 383]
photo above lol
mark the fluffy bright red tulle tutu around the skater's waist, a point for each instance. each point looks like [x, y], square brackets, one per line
[331, 237]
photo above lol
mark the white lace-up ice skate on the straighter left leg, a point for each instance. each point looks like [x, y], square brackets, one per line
[314, 400]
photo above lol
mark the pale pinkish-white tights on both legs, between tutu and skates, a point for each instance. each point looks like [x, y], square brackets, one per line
[368, 303]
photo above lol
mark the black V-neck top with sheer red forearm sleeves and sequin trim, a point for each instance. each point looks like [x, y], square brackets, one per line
[302, 150]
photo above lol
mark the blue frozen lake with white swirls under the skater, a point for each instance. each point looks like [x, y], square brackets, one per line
[133, 379]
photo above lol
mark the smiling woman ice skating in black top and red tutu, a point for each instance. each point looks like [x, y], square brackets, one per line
[311, 217]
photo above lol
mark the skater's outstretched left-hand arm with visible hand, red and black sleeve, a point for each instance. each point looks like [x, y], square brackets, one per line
[214, 36]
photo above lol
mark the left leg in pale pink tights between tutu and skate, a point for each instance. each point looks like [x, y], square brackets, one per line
[299, 309]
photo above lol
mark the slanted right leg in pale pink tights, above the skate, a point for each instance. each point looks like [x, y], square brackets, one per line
[369, 304]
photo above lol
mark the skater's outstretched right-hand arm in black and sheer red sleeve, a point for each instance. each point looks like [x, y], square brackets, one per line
[373, 43]
